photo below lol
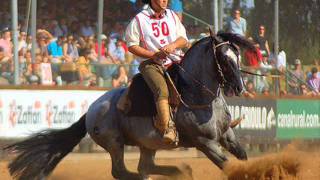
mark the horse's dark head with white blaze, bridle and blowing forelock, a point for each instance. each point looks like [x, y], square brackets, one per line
[227, 57]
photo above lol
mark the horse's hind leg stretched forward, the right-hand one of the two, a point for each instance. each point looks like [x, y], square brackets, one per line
[147, 166]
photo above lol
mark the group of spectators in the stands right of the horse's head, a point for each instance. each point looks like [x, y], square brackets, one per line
[262, 60]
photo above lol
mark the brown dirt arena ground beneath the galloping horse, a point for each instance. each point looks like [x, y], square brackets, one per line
[288, 164]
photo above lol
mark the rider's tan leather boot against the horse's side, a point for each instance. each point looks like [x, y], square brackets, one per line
[162, 122]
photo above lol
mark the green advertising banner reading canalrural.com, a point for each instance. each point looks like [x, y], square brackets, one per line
[298, 119]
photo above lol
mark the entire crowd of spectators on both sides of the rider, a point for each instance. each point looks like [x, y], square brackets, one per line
[68, 43]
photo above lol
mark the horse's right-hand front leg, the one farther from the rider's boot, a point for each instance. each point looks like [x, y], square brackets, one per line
[229, 141]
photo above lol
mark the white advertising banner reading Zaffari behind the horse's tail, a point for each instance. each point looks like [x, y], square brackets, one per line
[23, 112]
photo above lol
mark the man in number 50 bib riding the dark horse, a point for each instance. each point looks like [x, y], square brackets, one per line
[156, 35]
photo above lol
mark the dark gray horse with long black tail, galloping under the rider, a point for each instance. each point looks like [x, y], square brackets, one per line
[203, 121]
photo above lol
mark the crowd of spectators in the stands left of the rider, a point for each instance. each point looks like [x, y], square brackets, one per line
[68, 42]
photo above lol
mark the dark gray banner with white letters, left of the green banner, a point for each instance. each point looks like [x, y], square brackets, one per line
[259, 114]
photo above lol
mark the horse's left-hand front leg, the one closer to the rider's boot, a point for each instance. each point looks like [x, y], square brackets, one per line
[212, 150]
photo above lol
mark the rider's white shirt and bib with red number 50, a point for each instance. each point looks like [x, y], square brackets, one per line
[141, 26]
